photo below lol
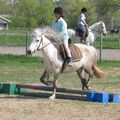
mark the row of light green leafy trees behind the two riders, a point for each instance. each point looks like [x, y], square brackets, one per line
[33, 13]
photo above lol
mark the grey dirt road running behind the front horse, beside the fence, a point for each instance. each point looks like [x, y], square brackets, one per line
[106, 54]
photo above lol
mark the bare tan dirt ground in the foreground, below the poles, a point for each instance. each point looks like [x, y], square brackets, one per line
[32, 108]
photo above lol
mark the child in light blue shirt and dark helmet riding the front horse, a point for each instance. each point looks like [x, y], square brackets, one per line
[60, 25]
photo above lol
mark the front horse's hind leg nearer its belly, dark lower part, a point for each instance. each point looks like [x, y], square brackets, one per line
[84, 82]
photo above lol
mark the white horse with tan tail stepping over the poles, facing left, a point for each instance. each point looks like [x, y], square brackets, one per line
[48, 41]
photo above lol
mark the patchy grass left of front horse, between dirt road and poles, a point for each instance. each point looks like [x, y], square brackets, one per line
[20, 68]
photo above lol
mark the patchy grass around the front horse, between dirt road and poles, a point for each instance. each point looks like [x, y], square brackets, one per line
[28, 69]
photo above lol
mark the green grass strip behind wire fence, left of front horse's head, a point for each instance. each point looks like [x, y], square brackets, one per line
[15, 37]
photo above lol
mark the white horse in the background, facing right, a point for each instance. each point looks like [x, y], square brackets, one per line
[98, 27]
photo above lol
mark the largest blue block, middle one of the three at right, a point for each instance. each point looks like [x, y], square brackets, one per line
[101, 97]
